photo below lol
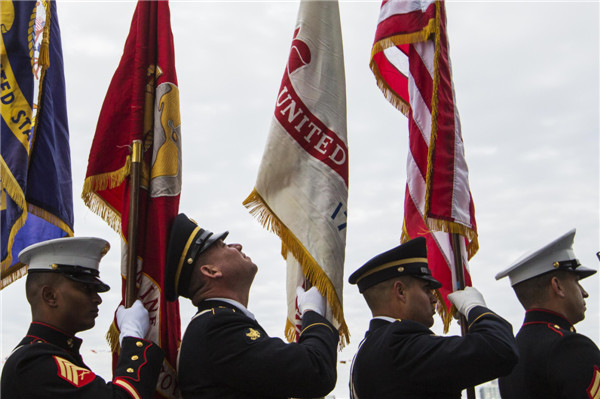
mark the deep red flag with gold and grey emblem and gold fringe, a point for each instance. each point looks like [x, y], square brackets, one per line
[142, 106]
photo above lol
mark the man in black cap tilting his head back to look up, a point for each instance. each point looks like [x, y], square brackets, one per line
[225, 353]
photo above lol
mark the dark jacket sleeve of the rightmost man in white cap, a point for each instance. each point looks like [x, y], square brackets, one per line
[574, 368]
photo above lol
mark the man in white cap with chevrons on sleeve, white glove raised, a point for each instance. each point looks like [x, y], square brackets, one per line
[62, 289]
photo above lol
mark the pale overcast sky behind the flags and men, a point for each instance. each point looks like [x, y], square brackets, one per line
[526, 77]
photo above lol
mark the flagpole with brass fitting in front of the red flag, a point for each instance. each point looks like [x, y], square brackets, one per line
[132, 227]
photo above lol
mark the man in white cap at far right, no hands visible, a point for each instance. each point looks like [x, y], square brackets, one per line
[555, 361]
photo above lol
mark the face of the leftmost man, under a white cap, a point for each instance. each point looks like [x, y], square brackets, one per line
[77, 306]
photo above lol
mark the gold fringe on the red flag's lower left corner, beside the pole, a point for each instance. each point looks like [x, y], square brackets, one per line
[102, 182]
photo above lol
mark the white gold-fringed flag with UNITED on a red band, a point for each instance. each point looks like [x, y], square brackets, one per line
[302, 187]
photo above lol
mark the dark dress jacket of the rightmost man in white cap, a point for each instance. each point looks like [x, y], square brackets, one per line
[555, 361]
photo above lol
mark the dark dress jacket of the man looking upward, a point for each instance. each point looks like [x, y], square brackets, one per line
[226, 354]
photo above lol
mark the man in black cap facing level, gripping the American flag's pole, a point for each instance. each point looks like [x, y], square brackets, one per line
[400, 357]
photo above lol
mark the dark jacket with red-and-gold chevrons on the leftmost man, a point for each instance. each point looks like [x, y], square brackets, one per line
[47, 364]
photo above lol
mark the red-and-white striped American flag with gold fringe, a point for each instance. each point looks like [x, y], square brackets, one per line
[411, 61]
